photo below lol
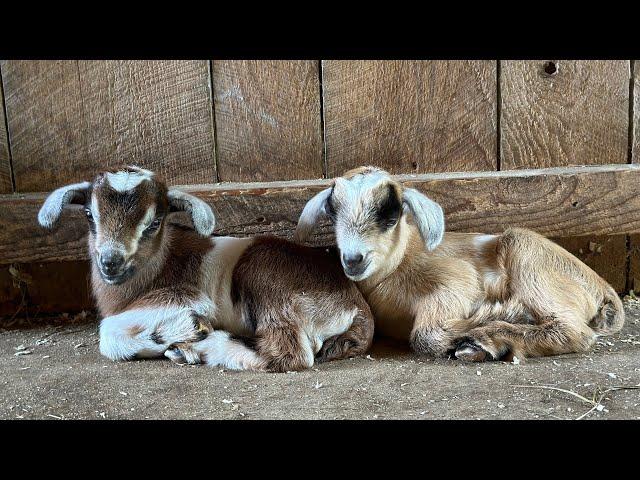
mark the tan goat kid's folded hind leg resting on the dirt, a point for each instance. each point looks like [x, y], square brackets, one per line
[498, 340]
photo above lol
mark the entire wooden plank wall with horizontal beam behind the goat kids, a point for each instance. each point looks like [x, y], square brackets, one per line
[200, 122]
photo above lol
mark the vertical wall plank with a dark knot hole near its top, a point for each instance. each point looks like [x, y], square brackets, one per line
[576, 116]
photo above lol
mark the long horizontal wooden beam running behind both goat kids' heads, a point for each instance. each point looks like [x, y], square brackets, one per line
[597, 200]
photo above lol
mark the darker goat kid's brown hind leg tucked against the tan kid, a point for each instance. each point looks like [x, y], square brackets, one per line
[355, 341]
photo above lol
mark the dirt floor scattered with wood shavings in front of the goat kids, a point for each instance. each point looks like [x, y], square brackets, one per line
[61, 375]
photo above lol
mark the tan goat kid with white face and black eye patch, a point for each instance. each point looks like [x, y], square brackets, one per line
[473, 295]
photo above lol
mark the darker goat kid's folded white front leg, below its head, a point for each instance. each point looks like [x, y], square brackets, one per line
[148, 332]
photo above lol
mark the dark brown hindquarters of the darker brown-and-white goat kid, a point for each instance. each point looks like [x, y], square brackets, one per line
[268, 280]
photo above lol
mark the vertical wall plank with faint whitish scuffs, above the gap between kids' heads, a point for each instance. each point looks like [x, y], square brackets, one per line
[267, 120]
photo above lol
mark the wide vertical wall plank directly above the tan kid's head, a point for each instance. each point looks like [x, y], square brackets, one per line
[410, 116]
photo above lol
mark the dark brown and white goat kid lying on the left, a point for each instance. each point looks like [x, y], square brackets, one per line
[164, 289]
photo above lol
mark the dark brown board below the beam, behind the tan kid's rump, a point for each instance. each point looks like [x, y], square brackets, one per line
[606, 255]
